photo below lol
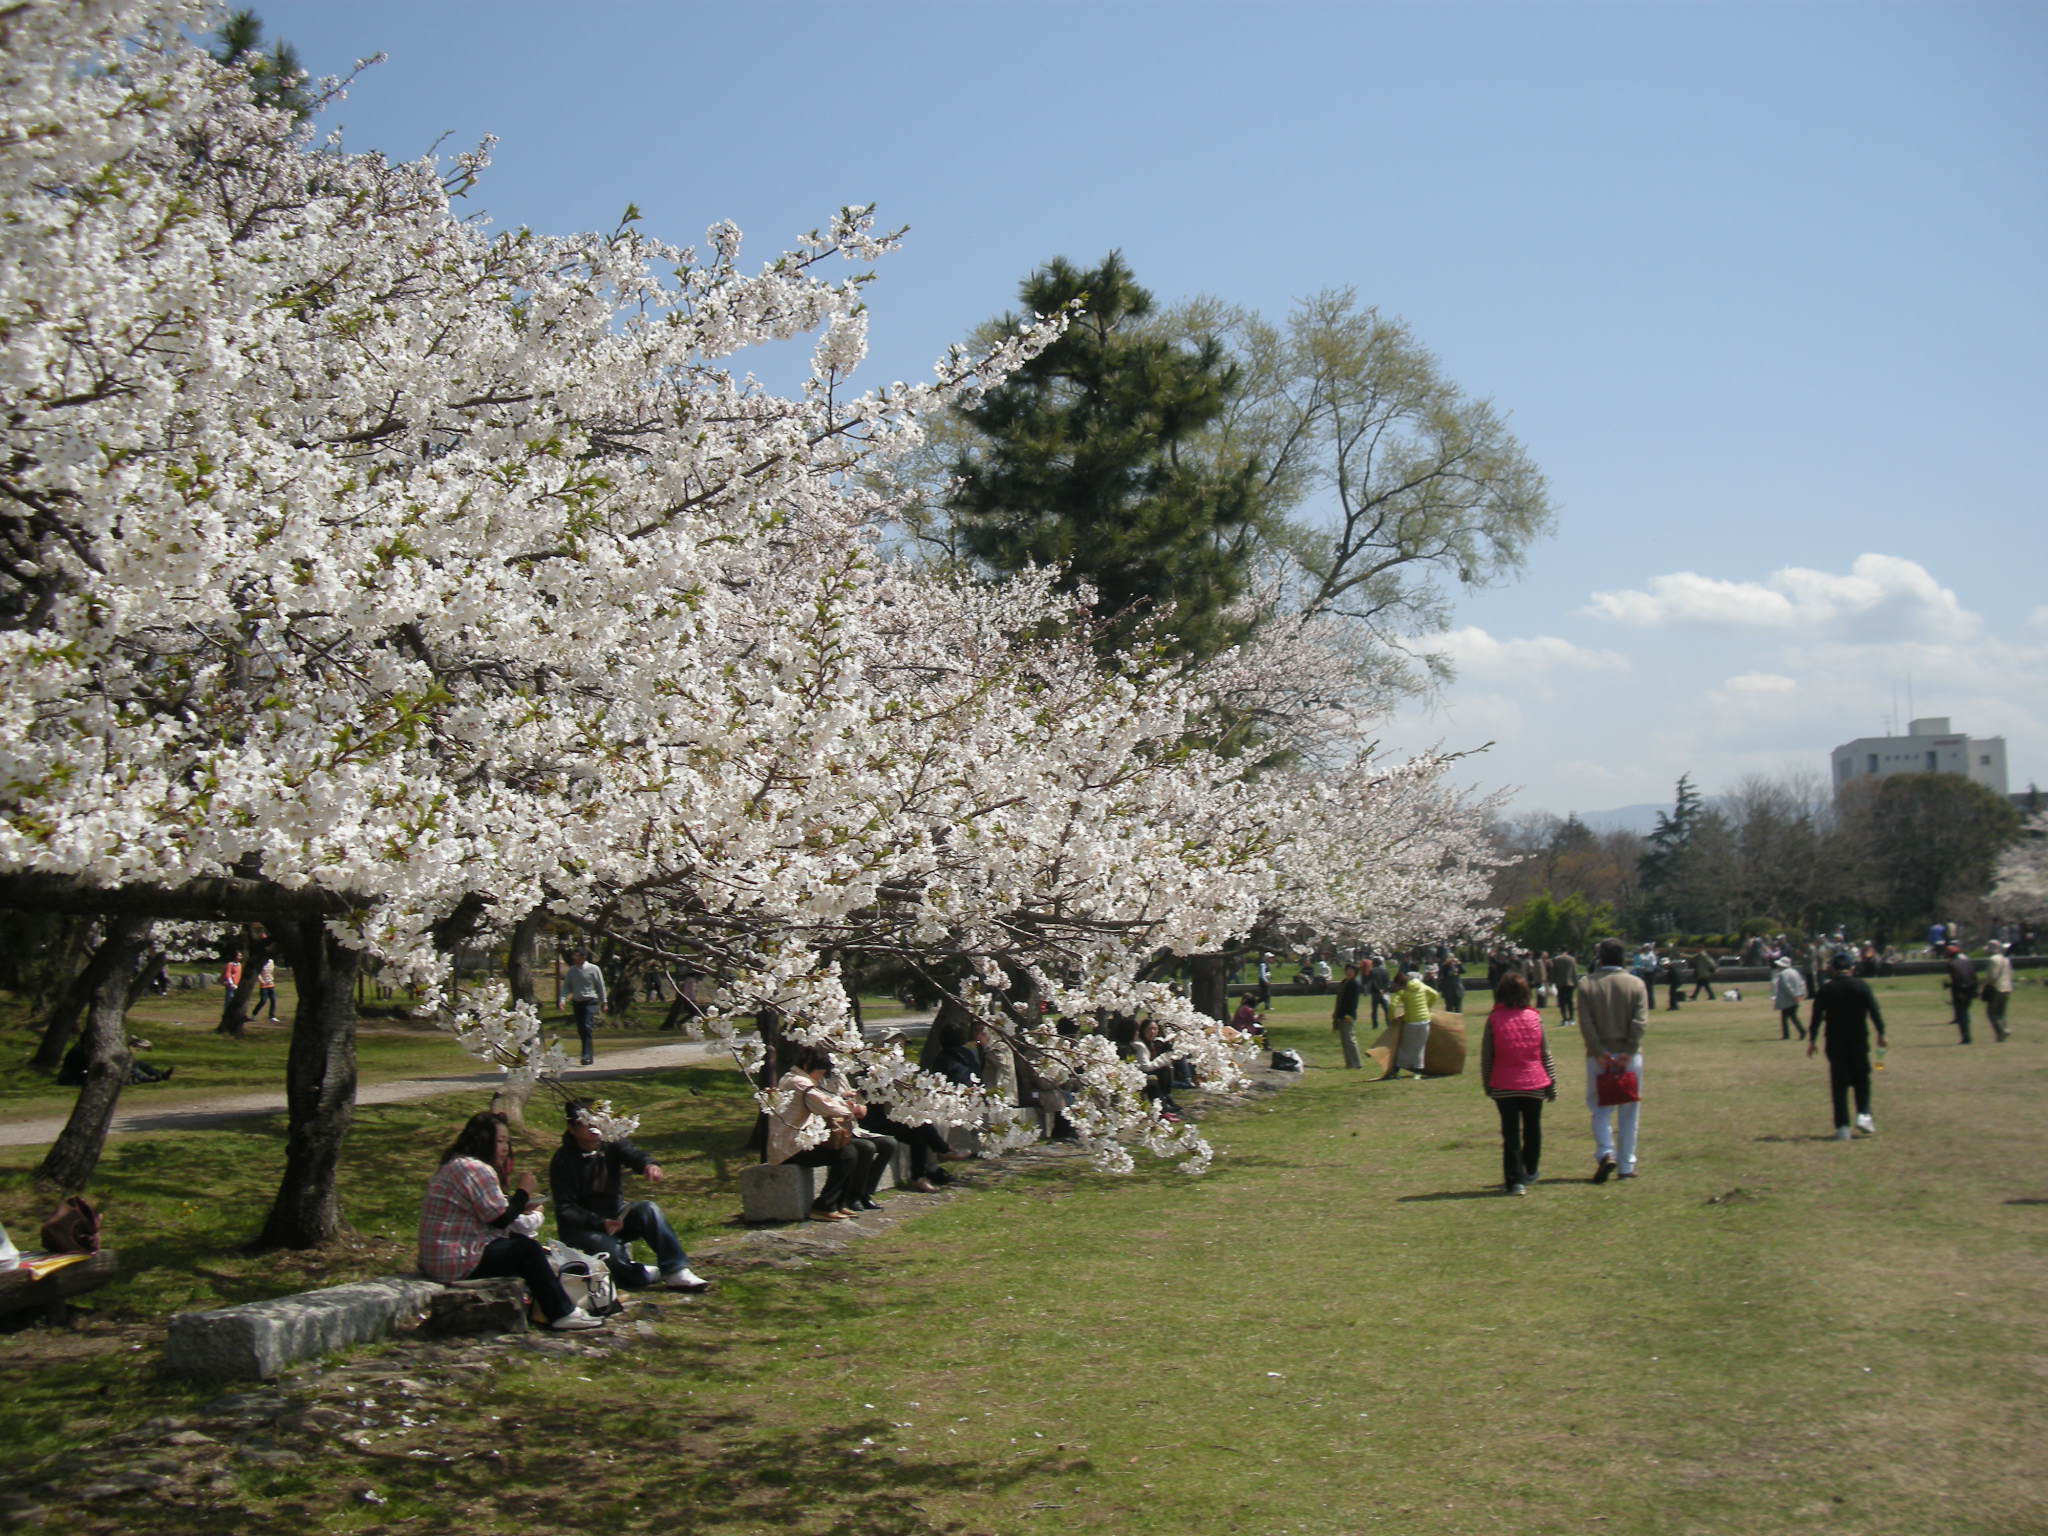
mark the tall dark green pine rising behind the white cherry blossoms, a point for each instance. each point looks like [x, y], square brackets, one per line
[1080, 462]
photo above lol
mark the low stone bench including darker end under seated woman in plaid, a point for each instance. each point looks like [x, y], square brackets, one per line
[259, 1338]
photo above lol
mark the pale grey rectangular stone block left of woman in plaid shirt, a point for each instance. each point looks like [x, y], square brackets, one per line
[259, 1338]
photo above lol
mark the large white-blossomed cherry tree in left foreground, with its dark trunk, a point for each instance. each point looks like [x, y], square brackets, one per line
[390, 581]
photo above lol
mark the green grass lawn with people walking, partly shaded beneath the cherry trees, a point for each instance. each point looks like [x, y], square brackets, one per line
[1342, 1328]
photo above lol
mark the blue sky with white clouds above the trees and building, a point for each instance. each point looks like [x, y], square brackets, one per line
[1760, 286]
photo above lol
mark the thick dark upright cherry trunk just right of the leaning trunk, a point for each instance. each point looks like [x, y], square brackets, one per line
[321, 1084]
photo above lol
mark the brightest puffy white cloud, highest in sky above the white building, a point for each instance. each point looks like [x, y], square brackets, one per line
[1879, 599]
